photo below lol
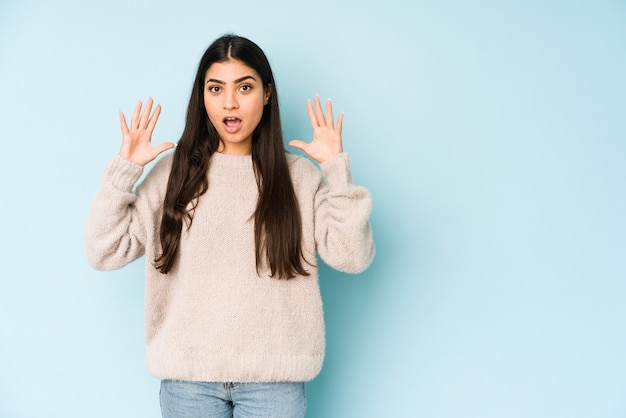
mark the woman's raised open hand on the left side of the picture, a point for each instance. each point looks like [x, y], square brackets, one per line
[136, 143]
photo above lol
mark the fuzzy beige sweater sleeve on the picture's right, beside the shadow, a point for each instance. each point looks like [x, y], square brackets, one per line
[342, 230]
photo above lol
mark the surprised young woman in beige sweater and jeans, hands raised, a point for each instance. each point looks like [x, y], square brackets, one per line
[231, 225]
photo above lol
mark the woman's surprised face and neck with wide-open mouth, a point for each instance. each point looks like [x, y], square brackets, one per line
[234, 99]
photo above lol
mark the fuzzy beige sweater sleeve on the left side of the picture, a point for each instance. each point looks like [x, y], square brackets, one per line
[115, 232]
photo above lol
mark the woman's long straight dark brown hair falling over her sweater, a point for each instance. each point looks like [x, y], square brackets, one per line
[277, 220]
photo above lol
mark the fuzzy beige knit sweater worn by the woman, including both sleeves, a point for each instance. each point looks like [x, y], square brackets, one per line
[212, 317]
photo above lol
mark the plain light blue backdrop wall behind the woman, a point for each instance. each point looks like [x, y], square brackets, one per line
[492, 136]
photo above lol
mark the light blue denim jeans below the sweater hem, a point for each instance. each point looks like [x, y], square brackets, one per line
[238, 400]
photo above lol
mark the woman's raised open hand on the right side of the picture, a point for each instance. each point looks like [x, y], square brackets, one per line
[326, 136]
